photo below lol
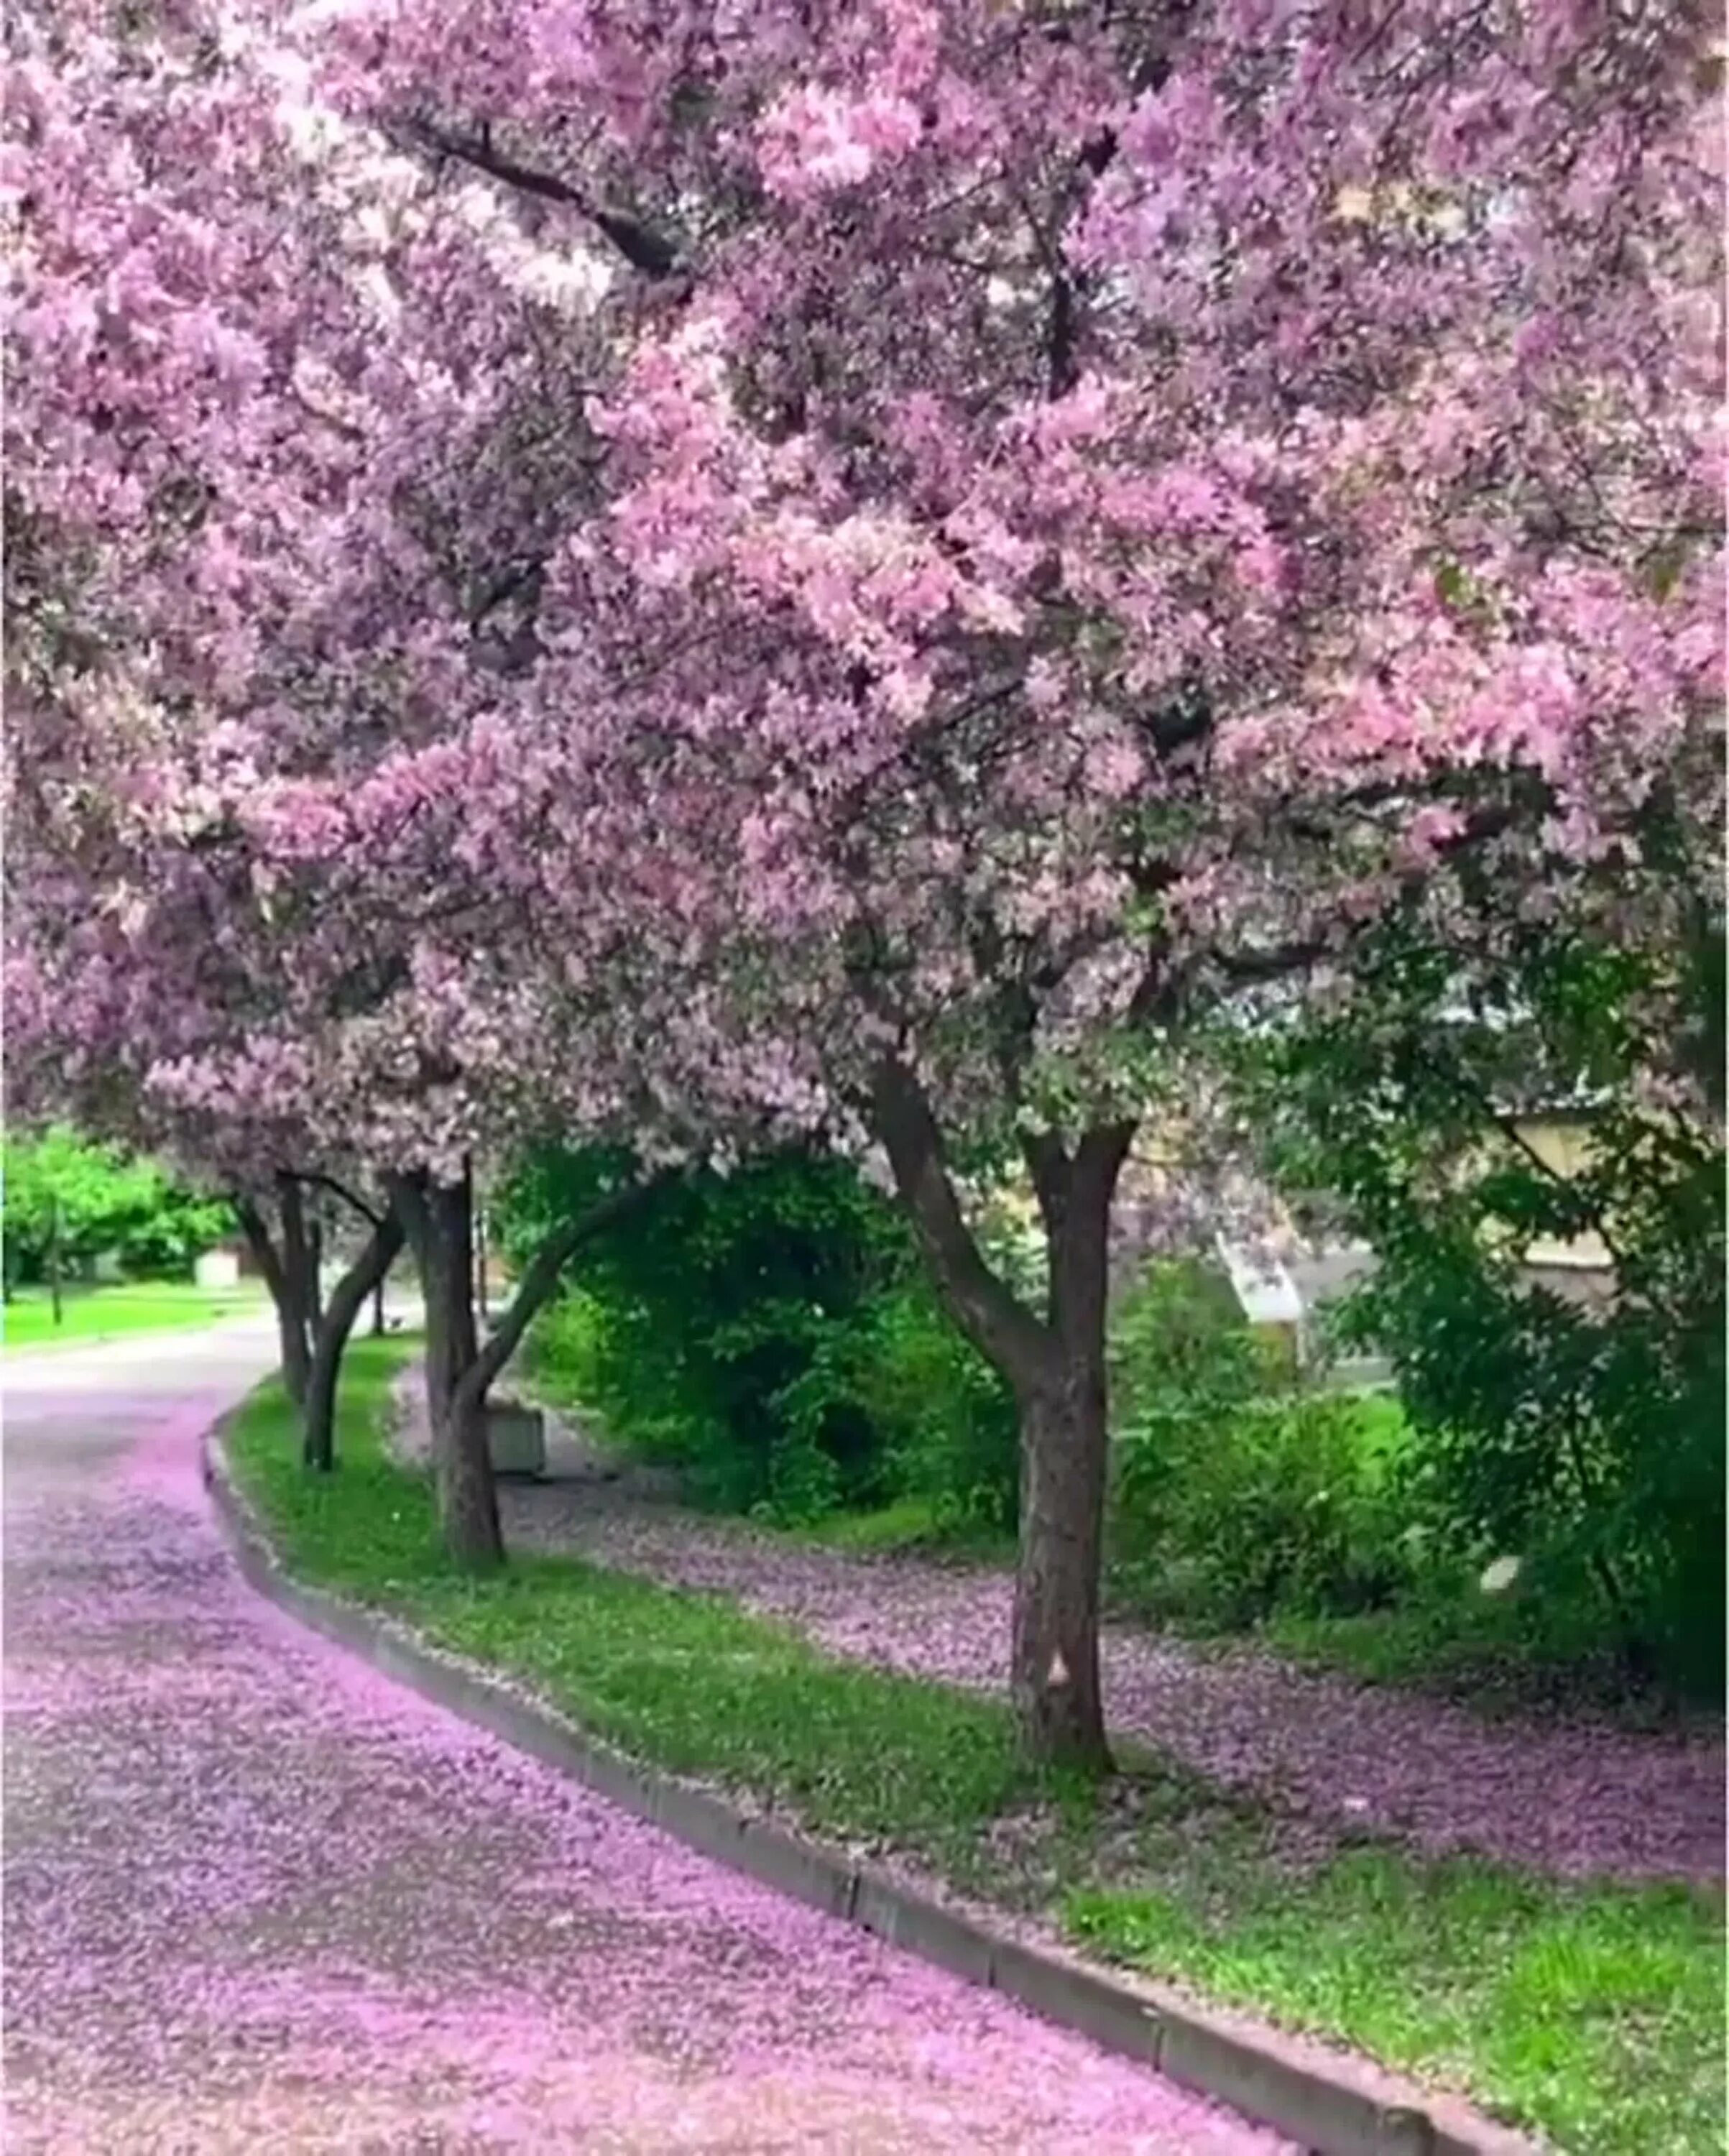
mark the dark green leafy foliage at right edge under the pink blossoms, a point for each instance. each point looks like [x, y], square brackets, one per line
[1579, 1435]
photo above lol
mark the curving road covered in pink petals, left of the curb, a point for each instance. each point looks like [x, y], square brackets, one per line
[258, 1901]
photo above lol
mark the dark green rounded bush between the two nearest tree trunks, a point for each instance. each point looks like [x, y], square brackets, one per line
[771, 1336]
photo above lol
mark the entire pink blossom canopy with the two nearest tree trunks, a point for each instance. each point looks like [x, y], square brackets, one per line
[691, 570]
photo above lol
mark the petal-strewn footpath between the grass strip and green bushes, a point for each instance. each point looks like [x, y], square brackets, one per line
[1566, 1797]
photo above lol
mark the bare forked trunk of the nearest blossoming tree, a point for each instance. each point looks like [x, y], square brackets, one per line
[1055, 1368]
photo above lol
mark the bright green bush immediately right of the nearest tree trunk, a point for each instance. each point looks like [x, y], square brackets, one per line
[1239, 1491]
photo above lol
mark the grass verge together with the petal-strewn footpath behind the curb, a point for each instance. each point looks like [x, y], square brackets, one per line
[1521, 1911]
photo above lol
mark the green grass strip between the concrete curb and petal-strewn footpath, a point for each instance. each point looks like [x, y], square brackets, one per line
[1590, 2013]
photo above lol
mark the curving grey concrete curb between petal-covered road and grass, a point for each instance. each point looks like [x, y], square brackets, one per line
[1329, 2103]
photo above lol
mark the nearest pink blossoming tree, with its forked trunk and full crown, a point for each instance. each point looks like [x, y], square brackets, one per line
[1096, 501]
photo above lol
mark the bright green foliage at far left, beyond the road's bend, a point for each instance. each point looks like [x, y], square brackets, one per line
[92, 1200]
